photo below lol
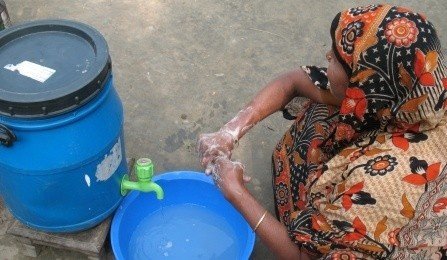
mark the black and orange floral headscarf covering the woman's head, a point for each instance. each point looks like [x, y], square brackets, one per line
[397, 78]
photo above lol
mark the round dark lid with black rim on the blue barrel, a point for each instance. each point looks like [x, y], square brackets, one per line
[50, 67]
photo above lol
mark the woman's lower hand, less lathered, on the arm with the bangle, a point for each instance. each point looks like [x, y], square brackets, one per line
[229, 176]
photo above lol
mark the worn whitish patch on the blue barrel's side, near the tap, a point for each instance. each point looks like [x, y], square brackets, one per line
[110, 164]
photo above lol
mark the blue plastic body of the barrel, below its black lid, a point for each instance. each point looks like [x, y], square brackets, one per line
[63, 173]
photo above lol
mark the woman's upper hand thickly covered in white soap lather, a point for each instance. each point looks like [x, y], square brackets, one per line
[214, 145]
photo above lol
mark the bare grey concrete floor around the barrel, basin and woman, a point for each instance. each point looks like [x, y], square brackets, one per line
[186, 67]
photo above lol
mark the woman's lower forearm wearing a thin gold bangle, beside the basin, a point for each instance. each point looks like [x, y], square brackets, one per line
[273, 233]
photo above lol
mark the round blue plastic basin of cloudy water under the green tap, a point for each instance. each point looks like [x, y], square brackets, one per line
[193, 221]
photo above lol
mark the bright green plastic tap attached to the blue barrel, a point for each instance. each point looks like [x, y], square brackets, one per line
[144, 169]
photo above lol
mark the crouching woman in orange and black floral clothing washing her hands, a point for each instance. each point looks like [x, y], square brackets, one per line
[362, 171]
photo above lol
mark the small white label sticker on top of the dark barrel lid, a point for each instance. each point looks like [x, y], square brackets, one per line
[32, 70]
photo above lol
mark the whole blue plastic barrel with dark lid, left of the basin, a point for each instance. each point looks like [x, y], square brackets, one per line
[61, 126]
